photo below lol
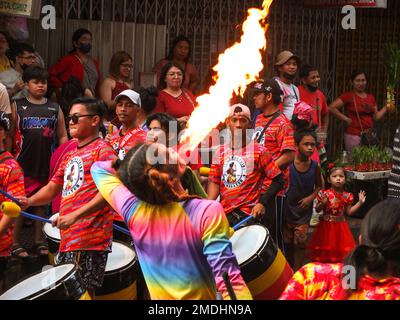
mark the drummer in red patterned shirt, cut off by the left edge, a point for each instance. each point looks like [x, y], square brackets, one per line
[12, 182]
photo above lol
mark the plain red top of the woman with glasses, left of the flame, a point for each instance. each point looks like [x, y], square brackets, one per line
[178, 107]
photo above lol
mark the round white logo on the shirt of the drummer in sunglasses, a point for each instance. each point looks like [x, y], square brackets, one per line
[73, 176]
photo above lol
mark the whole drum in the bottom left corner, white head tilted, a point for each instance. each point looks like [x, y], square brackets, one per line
[57, 283]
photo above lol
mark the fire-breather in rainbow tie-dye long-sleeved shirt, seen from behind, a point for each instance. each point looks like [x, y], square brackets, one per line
[182, 242]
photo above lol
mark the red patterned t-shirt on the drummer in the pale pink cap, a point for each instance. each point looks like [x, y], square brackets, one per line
[240, 175]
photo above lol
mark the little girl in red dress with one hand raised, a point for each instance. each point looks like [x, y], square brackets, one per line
[332, 239]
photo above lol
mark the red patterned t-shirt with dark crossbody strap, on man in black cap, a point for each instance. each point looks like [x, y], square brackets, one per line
[278, 137]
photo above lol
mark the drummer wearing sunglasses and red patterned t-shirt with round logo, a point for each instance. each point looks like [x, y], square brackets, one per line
[85, 220]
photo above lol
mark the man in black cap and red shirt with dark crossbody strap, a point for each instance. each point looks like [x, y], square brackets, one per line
[275, 132]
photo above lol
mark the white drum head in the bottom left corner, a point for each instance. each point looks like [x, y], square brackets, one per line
[34, 285]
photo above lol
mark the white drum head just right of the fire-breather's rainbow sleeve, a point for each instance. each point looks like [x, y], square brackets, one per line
[247, 241]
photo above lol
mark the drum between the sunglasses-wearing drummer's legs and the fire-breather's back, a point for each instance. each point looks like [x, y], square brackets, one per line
[121, 274]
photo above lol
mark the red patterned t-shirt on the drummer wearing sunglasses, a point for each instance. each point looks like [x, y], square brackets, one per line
[93, 231]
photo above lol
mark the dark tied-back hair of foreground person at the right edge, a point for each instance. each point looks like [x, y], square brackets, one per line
[379, 252]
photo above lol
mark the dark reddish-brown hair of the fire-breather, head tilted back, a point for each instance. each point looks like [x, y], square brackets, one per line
[153, 184]
